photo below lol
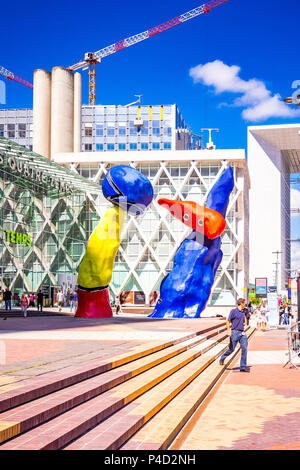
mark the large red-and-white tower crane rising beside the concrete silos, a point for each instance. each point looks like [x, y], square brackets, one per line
[91, 59]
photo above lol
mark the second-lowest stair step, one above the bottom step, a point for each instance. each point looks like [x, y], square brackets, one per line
[113, 432]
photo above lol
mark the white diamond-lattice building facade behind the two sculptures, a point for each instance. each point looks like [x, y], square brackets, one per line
[149, 242]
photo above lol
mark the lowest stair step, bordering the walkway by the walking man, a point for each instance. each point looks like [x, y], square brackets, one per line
[161, 430]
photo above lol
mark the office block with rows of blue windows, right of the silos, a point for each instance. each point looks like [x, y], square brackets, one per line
[121, 128]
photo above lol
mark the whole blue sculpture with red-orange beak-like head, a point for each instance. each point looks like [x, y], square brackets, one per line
[185, 291]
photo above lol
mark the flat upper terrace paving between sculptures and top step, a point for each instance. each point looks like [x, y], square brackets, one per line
[36, 345]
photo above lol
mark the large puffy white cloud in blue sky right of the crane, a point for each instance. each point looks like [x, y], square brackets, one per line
[258, 101]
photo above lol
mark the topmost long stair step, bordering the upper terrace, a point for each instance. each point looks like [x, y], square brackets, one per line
[36, 387]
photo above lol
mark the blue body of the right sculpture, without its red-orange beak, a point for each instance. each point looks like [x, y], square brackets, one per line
[186, 289]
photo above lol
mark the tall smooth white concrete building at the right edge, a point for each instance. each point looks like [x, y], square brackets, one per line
[273, 154]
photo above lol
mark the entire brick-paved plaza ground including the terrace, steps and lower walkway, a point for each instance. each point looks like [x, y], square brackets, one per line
[41, 355]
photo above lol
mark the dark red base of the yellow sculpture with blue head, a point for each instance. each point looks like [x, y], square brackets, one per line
[93, 304]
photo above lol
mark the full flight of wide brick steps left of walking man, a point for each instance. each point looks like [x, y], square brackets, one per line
[102, 404]
